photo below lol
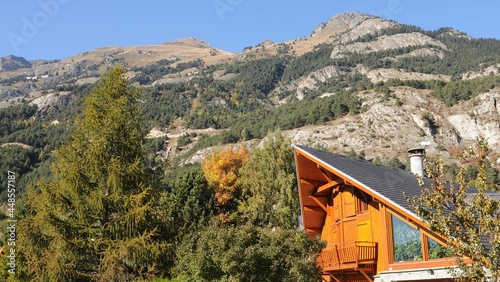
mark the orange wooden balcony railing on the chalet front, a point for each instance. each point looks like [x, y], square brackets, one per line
[353, 255]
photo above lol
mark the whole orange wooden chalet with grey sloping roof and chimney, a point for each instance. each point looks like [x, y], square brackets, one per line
[359, 209]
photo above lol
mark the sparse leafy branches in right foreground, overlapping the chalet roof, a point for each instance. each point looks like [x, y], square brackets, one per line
[466, 216]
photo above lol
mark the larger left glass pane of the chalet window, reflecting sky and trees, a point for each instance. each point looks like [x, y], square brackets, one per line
[407, 244]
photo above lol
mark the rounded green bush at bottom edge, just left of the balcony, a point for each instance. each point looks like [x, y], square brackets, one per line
[249, 253]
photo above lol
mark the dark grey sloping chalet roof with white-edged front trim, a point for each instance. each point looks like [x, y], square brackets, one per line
[384, 183]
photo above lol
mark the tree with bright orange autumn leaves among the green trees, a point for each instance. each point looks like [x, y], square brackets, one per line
[221, 171]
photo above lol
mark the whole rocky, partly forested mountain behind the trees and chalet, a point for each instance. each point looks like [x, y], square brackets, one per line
[357, 83]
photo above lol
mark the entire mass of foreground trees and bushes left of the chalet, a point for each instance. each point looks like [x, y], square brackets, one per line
[105, 216]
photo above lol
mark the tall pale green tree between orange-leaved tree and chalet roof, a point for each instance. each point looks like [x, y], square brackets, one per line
[269, 185]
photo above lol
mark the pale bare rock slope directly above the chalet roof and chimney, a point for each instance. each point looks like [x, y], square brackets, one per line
[386, 129]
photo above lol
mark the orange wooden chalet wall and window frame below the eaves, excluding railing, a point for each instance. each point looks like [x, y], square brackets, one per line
[345, 223]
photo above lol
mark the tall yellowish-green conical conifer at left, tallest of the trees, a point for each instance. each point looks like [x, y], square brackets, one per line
[97, 219]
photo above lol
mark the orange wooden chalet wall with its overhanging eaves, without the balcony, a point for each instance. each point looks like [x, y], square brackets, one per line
[333, 213]
